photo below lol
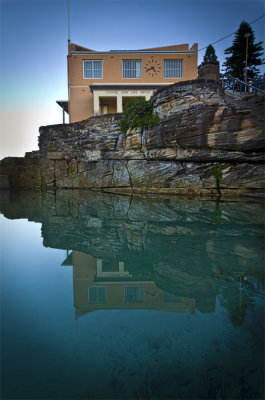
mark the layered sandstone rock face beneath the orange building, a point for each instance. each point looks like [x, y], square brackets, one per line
[199, 128]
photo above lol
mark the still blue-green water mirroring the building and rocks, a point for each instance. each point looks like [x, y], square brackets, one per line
[116, 297]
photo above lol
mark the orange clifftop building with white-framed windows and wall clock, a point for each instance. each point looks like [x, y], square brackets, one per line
[102, 82]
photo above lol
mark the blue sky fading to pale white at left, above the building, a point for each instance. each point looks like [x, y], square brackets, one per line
[33, 48]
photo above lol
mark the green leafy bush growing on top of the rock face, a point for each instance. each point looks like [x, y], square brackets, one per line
[138, 113]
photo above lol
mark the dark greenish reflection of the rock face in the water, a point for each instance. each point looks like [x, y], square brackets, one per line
[183, 246]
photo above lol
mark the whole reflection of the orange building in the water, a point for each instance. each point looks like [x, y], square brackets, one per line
[101, 284]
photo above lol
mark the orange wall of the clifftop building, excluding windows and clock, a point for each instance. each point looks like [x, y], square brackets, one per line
[81, 105]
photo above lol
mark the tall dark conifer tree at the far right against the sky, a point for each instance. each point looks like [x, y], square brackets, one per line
[235, 64]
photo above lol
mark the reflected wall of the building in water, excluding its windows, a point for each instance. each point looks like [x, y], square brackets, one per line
[85, 272]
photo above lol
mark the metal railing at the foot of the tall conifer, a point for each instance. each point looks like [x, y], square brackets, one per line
[235, 84]
